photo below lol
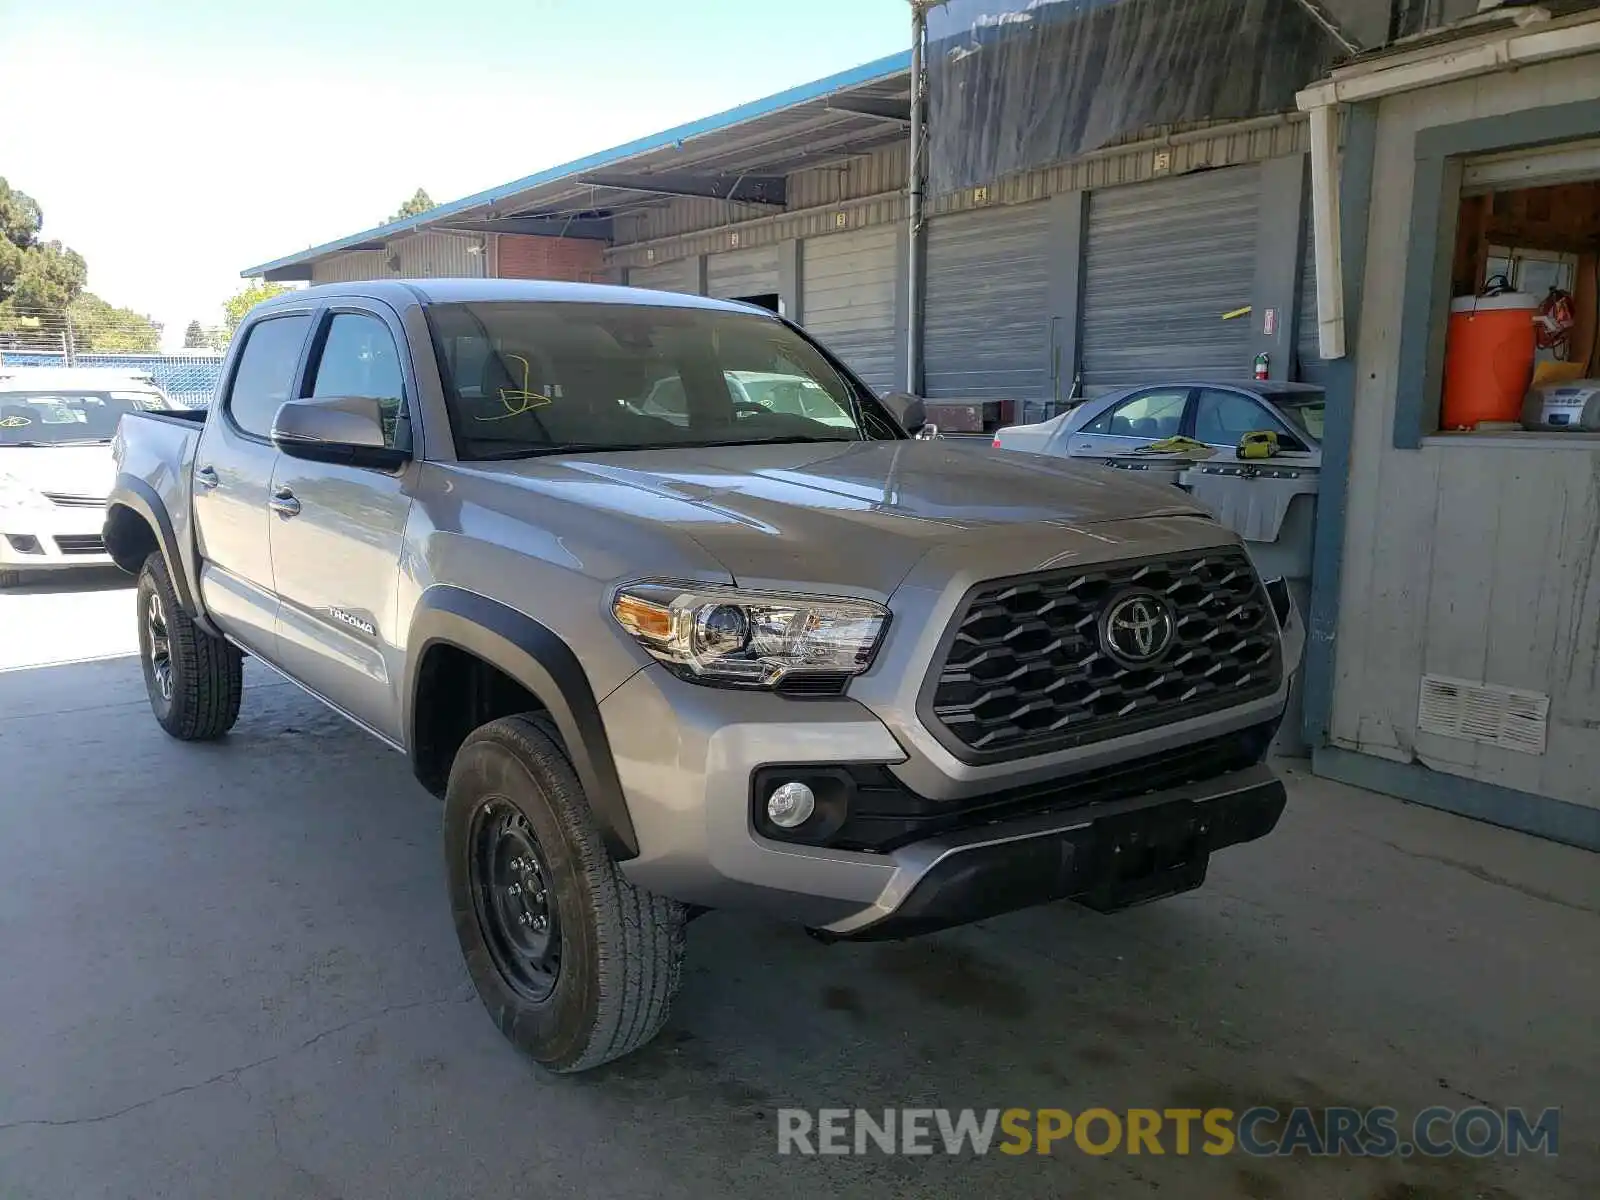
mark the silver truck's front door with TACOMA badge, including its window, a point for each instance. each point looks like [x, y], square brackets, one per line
[338, 534]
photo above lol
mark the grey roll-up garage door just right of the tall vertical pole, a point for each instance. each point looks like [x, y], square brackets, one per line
[988, 306]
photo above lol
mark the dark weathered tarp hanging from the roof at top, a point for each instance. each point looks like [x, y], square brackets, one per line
[1015, 86]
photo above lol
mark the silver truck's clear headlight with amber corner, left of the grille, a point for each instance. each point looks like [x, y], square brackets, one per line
[732, 638]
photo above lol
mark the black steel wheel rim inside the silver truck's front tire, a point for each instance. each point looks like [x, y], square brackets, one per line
[516, 908]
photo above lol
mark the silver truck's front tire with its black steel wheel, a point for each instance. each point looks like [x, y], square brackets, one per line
[575, 964]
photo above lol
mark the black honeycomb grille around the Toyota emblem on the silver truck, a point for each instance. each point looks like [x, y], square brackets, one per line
[1028, 668]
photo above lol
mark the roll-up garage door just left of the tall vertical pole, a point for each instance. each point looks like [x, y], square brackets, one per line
[850, 287]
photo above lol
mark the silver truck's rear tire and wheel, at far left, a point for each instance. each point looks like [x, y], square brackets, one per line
[194, 681]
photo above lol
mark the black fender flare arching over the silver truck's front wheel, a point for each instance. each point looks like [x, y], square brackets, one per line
[542, 663]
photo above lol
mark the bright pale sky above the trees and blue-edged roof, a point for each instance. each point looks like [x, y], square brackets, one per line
[175, 143]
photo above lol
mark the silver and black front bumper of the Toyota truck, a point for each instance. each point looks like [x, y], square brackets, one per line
[1121, 822]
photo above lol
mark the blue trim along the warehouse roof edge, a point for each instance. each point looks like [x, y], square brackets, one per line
[868, 73]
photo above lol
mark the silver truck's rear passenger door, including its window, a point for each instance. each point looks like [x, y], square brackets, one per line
[233, 482]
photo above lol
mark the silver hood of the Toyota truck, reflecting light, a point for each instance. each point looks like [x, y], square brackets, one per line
[857, 516]
